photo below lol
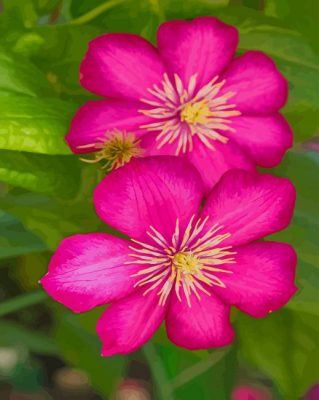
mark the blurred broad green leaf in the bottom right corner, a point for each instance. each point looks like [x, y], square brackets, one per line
[284, 345]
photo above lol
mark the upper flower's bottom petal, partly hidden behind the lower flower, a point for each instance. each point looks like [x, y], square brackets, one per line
[212, 164]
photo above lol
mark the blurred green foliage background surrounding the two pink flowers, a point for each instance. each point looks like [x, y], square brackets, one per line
[46, 352]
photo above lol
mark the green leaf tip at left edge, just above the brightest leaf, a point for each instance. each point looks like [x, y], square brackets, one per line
[20, 76]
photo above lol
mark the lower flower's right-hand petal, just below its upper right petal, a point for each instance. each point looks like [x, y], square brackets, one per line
[262, 279]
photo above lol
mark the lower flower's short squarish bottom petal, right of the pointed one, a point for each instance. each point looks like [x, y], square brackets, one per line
[203, 325]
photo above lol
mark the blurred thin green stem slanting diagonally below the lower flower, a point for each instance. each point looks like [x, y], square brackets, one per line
[199, 368]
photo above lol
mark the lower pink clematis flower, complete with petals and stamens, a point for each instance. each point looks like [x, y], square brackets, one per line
[183, 264]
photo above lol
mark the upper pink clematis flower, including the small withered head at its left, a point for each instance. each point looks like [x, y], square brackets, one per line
[189, 96]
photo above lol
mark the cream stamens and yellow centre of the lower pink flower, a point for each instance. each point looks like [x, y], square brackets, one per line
[189, 263]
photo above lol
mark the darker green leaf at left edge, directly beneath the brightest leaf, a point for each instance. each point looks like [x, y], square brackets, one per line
[40, 173]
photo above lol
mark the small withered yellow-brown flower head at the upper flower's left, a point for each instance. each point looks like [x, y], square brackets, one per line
[116, 149]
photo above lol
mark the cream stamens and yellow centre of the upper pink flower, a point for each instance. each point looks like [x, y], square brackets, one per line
[181, 112]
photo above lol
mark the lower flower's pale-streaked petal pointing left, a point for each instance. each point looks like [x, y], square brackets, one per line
[89, 270]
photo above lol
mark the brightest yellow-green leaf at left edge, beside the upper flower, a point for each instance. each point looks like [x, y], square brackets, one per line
[34, 125]
